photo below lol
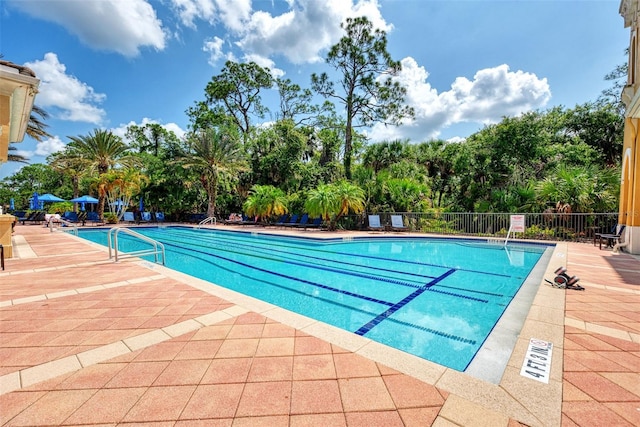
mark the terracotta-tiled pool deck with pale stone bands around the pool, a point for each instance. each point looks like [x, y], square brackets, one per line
[86, 341]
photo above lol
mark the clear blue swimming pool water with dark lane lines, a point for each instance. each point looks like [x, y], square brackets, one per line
[435, 298]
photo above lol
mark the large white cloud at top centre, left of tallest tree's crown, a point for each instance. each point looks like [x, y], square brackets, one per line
[300, 34]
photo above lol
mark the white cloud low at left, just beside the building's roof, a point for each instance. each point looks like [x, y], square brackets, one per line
[74, 100]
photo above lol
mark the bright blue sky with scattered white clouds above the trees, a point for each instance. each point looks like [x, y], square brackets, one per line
[111, 63]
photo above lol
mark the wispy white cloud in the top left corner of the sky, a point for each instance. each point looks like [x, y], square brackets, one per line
[112, 25]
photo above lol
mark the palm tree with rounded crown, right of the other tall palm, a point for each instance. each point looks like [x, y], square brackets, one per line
[213, 155]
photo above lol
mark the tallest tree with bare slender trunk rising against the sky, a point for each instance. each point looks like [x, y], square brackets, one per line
[368, 92]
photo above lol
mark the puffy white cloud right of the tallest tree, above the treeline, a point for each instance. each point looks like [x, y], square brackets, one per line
[492, 94]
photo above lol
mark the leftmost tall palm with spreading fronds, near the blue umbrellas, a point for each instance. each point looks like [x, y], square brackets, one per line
[99, 152]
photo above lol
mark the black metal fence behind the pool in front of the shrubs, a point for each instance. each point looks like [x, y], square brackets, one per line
[539, 226]
